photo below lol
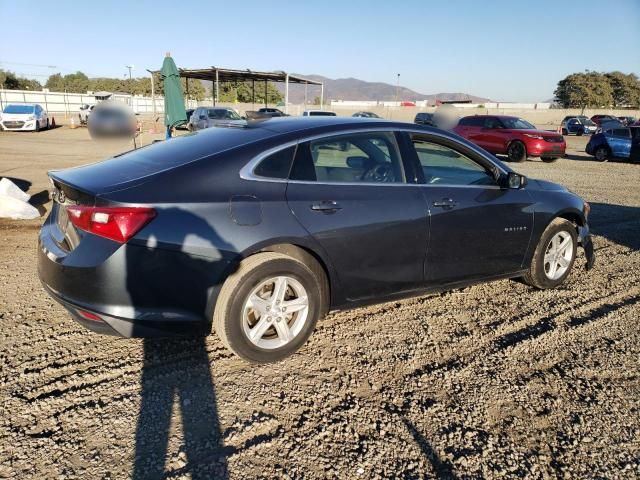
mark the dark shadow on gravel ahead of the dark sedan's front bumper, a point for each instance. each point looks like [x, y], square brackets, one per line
[618, 223]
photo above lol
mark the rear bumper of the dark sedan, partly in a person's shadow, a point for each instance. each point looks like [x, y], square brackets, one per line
[135, 291]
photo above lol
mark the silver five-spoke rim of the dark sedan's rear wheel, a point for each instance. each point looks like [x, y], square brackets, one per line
[275, 312]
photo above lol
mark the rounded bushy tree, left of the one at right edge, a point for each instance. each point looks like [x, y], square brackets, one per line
[582, 90]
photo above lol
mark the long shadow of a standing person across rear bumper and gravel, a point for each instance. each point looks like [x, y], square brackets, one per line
[164, 275]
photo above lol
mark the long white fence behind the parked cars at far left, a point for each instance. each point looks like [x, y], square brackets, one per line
[68, 103]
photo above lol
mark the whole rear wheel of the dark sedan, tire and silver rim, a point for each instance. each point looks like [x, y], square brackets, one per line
[269, 307]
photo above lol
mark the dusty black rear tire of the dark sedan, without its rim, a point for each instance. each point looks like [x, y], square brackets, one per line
[228, 315]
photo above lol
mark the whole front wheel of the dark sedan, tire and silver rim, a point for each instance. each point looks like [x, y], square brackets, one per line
[554, 255]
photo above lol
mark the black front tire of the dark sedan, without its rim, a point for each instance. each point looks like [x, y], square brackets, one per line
[536, 276]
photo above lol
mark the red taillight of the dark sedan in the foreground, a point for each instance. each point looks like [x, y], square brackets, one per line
[115, 223]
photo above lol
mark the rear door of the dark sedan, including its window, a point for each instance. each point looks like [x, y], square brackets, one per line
[350, 193]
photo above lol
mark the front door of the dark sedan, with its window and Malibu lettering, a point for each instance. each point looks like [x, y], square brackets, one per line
[477, 228]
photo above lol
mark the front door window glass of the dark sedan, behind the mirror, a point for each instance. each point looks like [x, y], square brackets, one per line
[442, 165]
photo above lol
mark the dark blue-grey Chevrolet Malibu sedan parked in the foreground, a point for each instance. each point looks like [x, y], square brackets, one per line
[258, 230]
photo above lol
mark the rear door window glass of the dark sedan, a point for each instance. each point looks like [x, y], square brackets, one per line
[356, 158]
